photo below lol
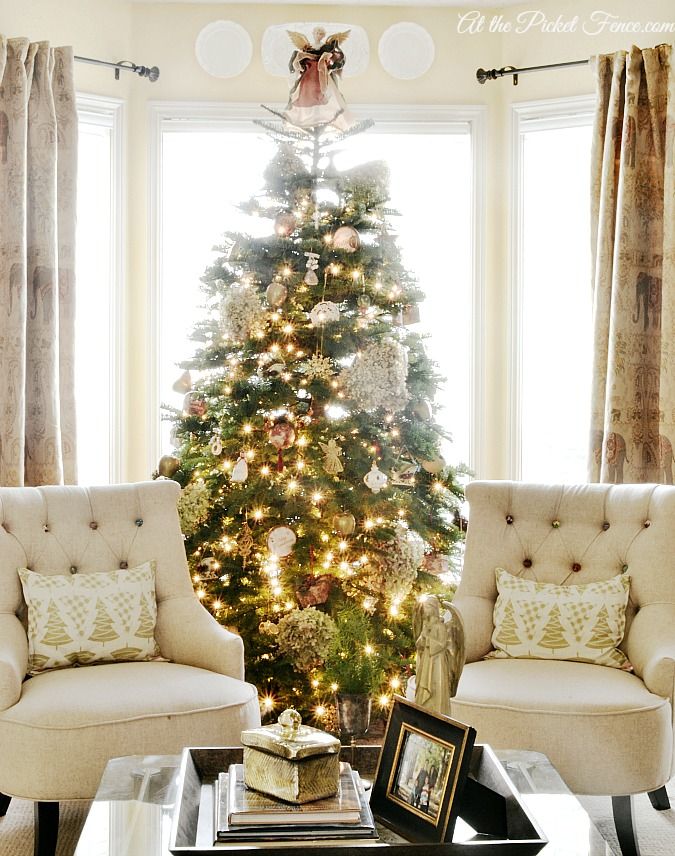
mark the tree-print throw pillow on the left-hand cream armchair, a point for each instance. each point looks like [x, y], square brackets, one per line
[90, 618]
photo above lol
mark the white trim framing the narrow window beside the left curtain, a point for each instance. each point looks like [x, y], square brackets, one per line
[111, 113]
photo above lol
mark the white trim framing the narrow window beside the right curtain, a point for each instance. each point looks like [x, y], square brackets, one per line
[528, 116]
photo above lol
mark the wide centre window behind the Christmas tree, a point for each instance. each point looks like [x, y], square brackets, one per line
[210, 161]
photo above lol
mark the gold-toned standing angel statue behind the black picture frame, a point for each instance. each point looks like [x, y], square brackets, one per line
[441, 655]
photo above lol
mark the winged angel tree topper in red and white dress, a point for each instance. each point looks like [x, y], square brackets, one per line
[315, 98]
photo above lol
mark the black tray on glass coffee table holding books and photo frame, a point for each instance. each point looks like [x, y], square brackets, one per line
[490, 804]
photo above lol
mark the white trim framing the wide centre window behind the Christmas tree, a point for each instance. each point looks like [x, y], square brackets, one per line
[390, 118]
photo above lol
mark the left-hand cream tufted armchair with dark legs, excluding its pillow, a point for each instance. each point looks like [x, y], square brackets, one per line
[59, 728]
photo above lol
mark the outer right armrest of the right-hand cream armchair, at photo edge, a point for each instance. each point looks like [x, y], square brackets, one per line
[650, 647]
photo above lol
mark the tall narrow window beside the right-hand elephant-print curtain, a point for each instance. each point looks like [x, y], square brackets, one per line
[552, 305]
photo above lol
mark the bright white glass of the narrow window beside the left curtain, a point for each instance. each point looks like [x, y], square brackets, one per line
[94, 297]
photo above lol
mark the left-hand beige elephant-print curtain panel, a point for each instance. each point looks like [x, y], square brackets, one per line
[38, 163]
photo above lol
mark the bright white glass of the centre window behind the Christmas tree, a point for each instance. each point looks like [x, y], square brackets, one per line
[205, 174]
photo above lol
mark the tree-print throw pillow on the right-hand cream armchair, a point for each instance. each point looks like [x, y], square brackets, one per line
[576, 622]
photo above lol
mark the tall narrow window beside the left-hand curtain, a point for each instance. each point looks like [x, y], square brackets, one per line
[98, 272]
